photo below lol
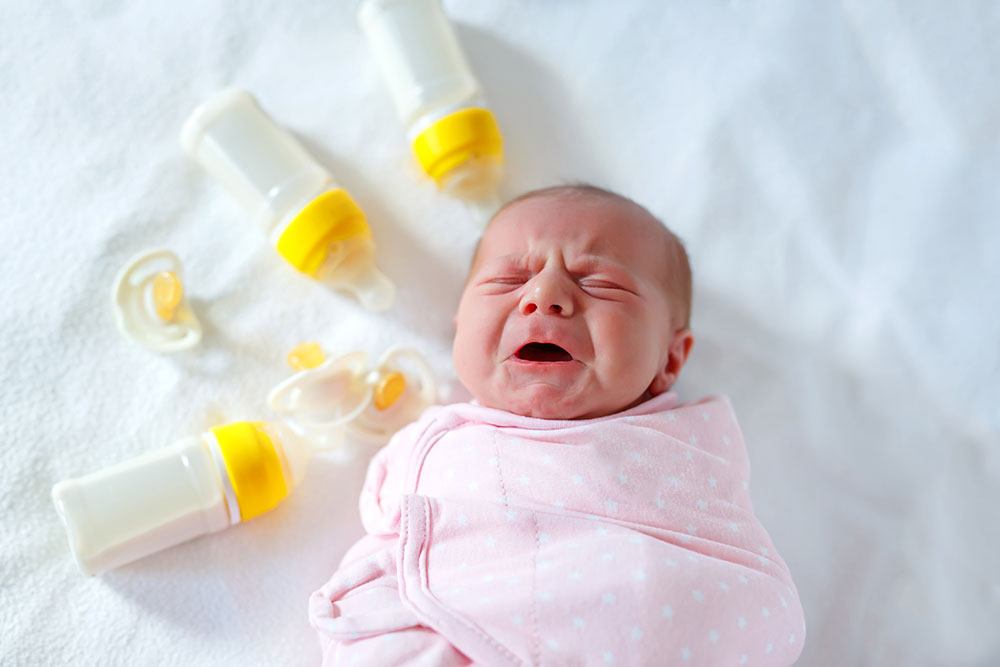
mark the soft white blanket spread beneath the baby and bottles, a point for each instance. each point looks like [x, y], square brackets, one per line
[832, 166]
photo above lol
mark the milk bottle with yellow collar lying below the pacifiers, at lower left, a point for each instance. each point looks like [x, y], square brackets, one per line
[198, 485]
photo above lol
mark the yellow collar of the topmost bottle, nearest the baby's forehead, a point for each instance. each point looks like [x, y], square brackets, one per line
[457, 138]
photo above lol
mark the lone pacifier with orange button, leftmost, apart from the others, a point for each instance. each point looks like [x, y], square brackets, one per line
[149, 304]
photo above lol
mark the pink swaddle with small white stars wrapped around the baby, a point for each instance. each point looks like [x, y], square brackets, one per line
[628, 539]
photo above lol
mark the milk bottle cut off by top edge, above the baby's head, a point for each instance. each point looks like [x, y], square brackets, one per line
[454, 135]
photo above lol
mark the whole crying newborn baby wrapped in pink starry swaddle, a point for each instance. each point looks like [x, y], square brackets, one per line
[576, 512]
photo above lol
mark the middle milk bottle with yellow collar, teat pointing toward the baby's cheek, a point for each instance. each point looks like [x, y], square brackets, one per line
[313, 222]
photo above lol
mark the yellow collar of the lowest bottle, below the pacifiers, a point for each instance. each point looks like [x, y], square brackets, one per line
[253, 466]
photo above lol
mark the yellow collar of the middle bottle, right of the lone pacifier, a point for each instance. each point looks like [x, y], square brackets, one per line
[331, 217]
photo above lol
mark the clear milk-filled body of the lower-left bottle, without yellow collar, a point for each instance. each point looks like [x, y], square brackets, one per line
[143, 505]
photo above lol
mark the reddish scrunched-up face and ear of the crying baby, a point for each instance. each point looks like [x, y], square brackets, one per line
[565, 314]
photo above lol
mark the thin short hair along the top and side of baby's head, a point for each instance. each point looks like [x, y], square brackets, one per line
[678, 273]
